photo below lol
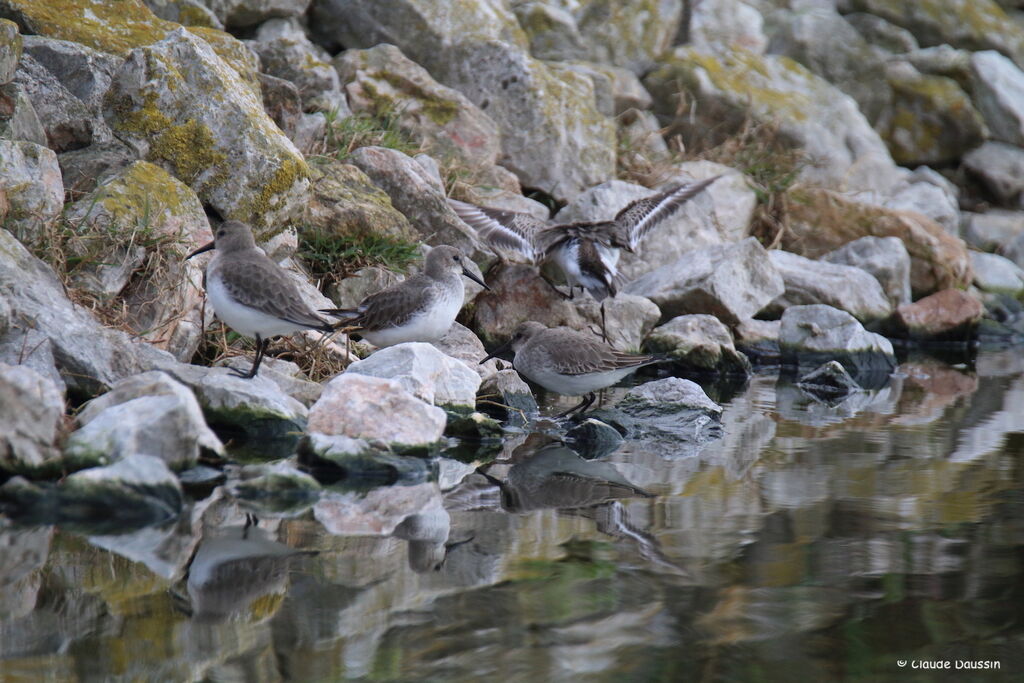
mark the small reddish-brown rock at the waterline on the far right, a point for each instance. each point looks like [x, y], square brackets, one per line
[946, 316]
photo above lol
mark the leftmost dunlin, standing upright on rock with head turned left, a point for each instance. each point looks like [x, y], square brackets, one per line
[251, 294]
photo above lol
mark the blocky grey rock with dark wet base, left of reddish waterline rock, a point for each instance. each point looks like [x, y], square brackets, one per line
[812, 335]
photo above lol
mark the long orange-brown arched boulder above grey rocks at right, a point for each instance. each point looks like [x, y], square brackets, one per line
[821, 222]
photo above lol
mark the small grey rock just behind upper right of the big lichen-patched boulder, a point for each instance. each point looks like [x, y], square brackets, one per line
[286, 53]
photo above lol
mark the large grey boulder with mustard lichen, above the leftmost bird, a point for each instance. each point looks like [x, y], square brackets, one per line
[232, 155]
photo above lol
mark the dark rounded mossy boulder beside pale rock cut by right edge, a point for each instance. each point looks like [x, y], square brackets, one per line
[930, 119]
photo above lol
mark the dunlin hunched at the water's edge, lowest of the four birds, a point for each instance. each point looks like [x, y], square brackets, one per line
[570, 363]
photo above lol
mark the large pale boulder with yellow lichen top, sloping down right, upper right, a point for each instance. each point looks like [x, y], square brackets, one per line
[701, 94]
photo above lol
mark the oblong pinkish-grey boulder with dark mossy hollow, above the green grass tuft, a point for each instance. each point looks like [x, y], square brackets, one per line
[382, 81]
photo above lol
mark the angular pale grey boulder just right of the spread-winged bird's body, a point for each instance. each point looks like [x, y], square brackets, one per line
[731, 282]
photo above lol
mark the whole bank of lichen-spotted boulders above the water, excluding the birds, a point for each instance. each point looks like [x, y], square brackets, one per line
[869, 202]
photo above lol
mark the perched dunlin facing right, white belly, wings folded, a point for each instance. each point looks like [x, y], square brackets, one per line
[421, 309]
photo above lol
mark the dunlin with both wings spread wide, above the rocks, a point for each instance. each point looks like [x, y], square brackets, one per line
[586, 252]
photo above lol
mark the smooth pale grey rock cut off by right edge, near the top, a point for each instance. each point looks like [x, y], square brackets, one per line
[999, 93]
